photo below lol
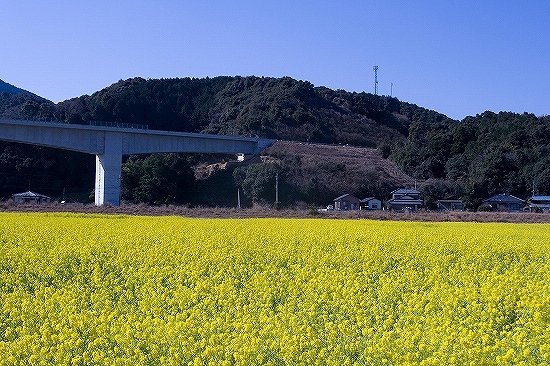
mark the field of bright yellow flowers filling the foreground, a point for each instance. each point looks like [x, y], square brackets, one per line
[80, 289]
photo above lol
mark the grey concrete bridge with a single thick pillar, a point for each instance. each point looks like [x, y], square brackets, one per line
[108, 144]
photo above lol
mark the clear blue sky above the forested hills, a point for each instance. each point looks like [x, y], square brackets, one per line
[459, 58]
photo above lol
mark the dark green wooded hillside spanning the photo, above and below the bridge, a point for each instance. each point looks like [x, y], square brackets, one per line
[479, 156]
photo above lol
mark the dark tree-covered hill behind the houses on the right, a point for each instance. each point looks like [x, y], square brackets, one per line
[485, 154]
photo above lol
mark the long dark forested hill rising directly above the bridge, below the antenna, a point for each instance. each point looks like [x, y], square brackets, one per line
[281, 108]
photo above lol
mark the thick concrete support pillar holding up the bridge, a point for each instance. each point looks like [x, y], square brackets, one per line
[108, 171]
